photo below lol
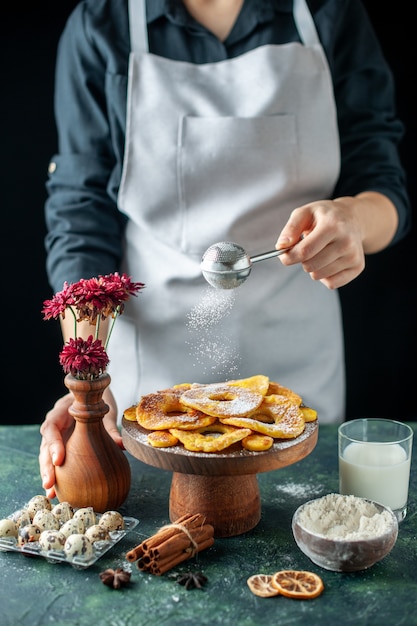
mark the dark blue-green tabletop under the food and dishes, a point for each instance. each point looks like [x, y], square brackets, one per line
[35, 592]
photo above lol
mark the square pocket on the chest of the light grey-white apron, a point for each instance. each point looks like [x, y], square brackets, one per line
[232, 173]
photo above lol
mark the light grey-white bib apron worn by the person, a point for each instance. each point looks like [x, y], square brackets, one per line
[216, 152]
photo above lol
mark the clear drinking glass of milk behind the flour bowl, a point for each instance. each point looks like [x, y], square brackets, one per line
[374, 461]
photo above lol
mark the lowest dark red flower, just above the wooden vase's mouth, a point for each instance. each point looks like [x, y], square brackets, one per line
[84, 358]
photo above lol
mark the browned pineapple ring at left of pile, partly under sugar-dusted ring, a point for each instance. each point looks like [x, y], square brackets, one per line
[162, 410]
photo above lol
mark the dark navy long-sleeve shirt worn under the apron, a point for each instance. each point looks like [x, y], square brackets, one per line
[85, 228]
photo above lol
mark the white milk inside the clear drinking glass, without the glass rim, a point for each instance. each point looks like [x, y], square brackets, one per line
[375, 471]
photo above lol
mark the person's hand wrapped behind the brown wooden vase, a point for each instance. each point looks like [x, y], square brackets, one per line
[56, 429]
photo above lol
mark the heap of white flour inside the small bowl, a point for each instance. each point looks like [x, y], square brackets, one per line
[338, 516]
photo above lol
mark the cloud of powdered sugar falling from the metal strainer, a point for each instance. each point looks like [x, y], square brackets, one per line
[210, 345]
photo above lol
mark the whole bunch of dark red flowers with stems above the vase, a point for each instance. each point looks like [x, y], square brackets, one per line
[90, 300]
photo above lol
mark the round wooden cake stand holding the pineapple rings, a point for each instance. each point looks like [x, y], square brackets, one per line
[222, 486]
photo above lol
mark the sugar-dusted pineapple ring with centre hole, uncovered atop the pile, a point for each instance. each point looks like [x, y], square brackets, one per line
[222, 400]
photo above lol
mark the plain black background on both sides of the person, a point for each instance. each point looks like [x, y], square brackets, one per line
[380, 321]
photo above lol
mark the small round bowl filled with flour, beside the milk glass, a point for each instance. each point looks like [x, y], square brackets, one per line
[355, 544]
